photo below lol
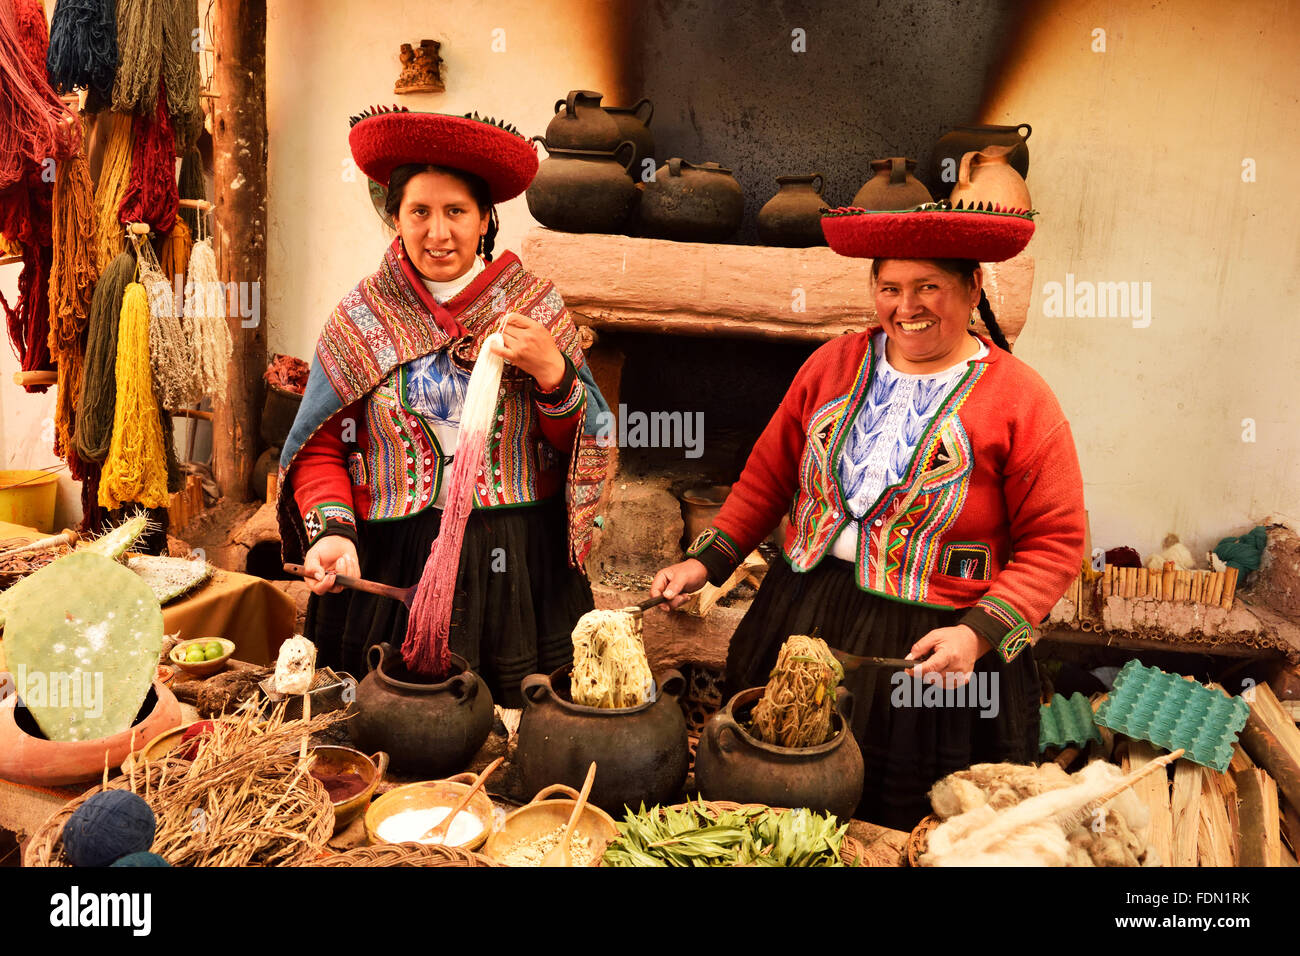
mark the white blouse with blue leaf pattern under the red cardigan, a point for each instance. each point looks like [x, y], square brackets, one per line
[886, 432]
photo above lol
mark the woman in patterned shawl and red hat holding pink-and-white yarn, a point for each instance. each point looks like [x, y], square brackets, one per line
[366, 466]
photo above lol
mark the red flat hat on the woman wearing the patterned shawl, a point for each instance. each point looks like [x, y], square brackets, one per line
[387, 139]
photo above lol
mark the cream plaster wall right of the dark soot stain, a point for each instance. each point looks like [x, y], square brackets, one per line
[1137, 161]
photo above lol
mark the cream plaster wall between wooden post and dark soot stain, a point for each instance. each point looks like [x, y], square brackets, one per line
[324, 235]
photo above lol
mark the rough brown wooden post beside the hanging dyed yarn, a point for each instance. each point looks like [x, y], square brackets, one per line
[240, 175]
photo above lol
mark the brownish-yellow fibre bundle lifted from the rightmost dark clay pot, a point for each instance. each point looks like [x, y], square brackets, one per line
[799, 700]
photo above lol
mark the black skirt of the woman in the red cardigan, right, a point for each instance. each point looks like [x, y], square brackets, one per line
[909, 741]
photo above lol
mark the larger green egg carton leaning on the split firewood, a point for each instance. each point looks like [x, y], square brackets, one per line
[1172, 712]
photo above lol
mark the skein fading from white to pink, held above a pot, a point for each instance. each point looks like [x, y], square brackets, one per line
[427, 650]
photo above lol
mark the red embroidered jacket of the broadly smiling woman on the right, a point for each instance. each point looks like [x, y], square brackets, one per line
[989, 516]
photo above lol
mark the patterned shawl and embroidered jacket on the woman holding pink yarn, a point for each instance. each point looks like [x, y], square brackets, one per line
[363, 443]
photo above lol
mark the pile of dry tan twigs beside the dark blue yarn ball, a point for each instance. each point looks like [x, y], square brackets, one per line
[246, 799]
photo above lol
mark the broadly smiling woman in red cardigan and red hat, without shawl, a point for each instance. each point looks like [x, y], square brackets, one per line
[935, 512]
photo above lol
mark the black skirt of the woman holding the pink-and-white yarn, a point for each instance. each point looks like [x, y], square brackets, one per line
[517, 598]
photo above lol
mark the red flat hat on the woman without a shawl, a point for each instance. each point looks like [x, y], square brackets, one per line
[930, 232]
